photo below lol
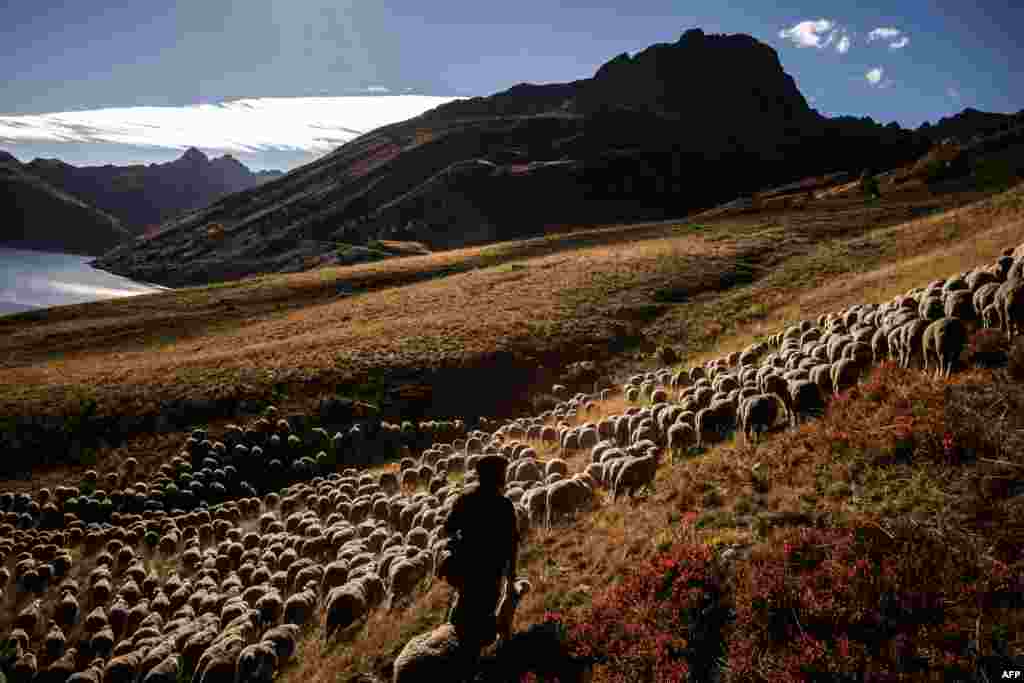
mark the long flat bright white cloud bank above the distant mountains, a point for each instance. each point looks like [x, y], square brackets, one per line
[309, 124]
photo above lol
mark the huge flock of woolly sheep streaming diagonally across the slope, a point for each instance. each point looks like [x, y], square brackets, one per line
[207, 572]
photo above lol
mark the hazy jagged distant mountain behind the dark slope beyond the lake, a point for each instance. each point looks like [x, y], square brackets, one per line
[144, 196]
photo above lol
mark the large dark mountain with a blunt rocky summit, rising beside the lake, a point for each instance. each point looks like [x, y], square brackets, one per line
[675, 129]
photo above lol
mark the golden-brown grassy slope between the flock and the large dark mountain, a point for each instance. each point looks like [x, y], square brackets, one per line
[355, 330]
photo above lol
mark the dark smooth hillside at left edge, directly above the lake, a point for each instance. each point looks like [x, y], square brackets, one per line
[34, 215]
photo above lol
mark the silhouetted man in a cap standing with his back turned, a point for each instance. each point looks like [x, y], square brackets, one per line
[486, 535]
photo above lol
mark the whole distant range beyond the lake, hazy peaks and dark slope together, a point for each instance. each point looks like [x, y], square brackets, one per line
[48, 204]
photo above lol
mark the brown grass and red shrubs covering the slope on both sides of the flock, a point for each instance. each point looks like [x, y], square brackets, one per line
[881, 542]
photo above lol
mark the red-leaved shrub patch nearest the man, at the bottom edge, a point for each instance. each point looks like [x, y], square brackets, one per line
[663, 623]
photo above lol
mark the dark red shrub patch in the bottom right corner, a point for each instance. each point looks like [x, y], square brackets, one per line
[863, 602]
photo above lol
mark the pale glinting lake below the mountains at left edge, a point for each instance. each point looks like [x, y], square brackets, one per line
[32, 280]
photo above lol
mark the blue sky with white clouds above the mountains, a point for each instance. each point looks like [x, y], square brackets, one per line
[907, 62]
